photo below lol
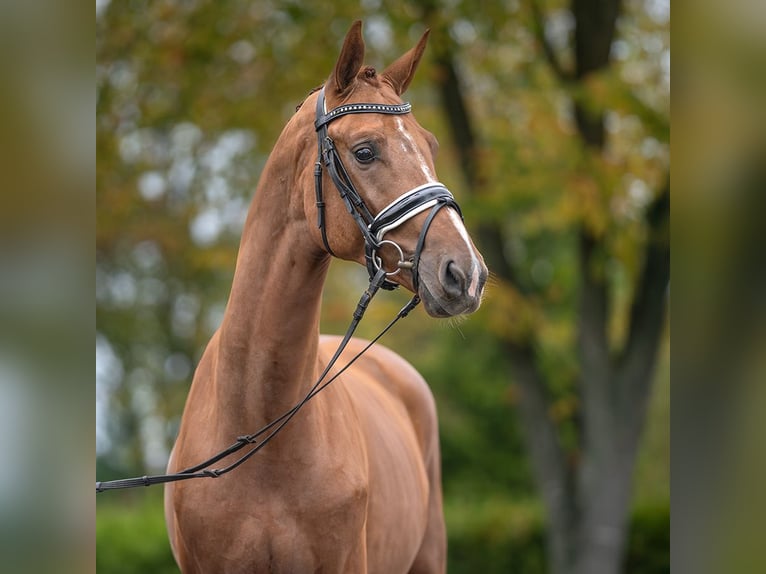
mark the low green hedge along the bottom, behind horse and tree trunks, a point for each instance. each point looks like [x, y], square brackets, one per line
[488, 536]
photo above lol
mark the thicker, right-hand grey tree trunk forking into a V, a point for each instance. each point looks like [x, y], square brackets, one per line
[615, 393]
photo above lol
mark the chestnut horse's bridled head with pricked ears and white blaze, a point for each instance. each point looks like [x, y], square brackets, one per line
[391, 211]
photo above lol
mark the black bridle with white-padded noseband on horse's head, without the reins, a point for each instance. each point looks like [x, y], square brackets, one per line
[431, 196]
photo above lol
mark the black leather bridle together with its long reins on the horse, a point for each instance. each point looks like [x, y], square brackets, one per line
[431, 196]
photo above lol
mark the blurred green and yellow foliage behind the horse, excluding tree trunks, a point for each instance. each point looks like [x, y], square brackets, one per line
[191, 97]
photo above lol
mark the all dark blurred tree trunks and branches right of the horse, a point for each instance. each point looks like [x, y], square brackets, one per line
[587, 499]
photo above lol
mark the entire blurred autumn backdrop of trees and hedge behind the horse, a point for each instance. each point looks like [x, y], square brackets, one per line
[553, 120]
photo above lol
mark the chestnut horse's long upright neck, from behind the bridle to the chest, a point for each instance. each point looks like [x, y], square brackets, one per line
[268, 339]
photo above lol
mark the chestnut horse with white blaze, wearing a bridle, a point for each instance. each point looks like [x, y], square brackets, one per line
[353, 483]
